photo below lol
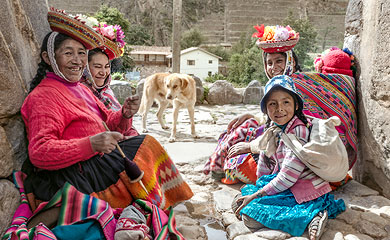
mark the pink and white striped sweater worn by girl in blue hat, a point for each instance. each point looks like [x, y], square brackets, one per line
[291, 172]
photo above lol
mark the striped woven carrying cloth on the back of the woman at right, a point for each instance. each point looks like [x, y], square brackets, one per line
[331, 95]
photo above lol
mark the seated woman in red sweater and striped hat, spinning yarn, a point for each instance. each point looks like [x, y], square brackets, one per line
[68, 142]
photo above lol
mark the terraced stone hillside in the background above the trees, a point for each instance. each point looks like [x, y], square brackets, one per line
[239, 17]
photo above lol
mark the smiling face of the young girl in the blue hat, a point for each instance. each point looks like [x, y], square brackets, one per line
[280, 107]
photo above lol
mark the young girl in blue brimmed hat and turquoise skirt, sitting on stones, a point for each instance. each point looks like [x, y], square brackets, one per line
[288, 195]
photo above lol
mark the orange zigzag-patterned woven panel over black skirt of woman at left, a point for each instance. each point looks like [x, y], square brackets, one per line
[162, 179]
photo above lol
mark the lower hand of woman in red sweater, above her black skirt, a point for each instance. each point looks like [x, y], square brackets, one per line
[105, 142]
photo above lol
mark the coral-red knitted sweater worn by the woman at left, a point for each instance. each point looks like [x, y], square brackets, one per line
[59, 125]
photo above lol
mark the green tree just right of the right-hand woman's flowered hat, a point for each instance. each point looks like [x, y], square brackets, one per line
[307, 38]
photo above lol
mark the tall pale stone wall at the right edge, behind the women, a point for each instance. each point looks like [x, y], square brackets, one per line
[368, 36]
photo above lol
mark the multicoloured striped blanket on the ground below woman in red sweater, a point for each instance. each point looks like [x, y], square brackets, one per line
[76, 207]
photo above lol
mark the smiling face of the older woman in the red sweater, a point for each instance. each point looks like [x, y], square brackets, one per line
[71, 58]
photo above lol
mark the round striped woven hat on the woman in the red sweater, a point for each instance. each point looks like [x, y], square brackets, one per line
[74, 27]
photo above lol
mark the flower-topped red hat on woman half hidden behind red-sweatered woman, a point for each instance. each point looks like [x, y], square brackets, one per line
[113, 40]
